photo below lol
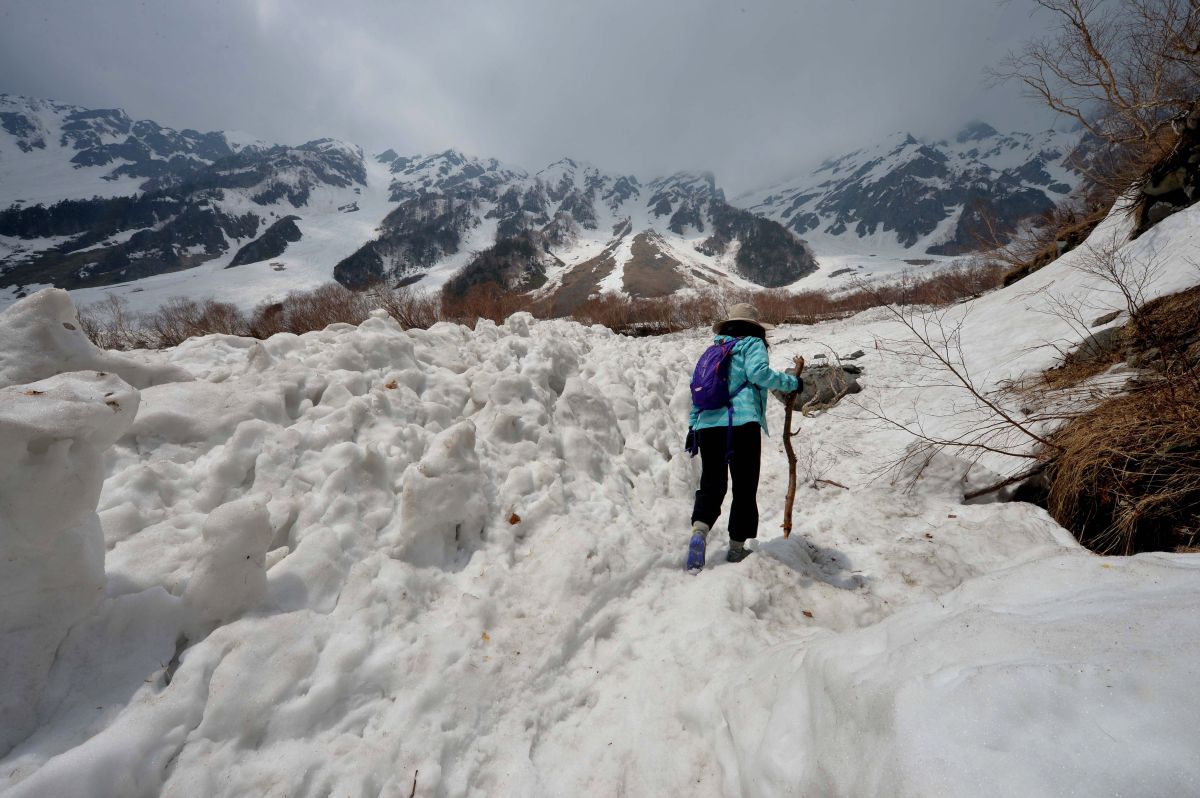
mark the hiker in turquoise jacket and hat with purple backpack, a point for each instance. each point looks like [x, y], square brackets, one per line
[729, 437]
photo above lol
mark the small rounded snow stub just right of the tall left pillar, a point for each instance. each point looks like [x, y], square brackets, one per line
[231, 578]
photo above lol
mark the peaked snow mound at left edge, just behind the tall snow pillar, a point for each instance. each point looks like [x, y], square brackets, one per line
[41, 337]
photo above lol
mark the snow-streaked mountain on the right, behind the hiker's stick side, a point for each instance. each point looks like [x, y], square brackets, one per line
[909, 196]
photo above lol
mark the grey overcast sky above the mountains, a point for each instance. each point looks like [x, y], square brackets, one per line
[749, 89]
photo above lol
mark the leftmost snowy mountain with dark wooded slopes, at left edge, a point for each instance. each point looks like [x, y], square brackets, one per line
[94, 199]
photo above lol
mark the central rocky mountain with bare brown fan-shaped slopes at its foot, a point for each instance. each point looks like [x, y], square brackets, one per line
[568, 232]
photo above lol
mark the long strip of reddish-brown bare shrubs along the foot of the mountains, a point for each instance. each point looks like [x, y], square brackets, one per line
[112, 326]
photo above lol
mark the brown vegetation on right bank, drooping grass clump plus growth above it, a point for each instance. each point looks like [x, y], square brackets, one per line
[1125, 476]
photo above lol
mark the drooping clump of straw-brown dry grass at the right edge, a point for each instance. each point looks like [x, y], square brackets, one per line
[1129, 476]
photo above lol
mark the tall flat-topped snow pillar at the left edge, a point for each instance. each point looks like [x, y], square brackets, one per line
[53, 436]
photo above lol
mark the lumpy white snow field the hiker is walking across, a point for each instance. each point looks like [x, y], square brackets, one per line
[344, 562]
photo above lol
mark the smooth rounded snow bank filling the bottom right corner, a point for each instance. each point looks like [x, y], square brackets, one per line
[1070, 676]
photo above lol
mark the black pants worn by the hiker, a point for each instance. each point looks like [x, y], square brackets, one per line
[715, 479]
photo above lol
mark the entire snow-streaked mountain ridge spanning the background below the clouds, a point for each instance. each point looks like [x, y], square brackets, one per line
[94, 201]
